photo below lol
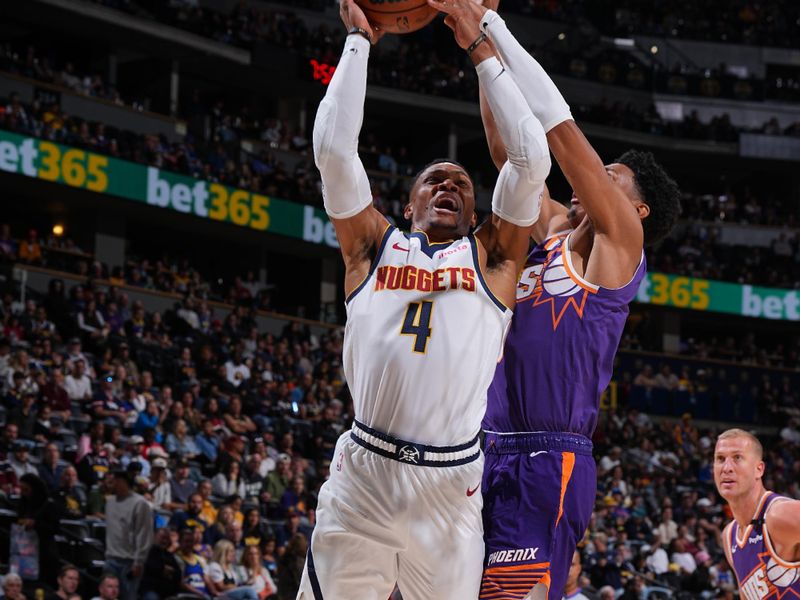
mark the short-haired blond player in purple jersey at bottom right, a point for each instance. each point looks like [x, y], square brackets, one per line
[762, 542]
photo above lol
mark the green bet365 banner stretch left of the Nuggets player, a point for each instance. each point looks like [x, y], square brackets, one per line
[107, 175]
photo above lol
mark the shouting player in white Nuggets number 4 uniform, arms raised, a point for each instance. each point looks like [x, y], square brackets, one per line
[426, 316]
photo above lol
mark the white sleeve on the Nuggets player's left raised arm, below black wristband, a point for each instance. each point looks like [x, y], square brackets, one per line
[345, 186]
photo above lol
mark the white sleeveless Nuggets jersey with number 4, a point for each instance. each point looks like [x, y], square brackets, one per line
[422, 339]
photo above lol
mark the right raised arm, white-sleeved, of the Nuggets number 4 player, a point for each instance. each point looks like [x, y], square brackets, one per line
[517, 194]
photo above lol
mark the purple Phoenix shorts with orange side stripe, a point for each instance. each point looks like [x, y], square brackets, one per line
[538, 495]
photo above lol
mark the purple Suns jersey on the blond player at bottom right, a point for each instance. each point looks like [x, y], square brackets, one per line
[760, 571]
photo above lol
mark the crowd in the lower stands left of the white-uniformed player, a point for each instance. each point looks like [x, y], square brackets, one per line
[225, 431]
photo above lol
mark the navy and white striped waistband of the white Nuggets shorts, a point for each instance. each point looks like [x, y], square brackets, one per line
[413, 453]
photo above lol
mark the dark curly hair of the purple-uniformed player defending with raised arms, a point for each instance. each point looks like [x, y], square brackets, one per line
[656, 189]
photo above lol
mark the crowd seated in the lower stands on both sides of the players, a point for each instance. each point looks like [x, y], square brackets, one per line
[227, 433]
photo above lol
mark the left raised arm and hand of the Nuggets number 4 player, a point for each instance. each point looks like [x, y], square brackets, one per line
[345, 186]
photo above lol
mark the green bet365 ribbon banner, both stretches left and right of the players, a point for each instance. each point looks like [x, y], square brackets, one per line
[106, 175]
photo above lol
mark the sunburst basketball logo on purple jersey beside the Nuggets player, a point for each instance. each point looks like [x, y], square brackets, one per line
[552, 284]
